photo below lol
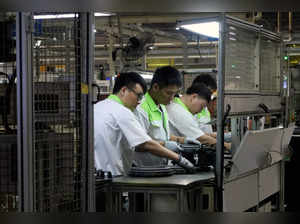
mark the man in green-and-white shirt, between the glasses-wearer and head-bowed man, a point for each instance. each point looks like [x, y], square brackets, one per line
[153, 117]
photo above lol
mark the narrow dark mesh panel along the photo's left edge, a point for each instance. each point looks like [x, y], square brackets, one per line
[8, 121]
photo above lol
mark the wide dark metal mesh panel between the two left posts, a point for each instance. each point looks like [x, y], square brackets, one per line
[58, 156]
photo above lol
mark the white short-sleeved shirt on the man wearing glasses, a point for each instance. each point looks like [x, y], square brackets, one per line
[116, 133]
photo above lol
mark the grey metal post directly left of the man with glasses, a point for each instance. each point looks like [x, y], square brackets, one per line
[87, 50]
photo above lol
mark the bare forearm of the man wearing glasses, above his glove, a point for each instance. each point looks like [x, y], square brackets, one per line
[158, 150]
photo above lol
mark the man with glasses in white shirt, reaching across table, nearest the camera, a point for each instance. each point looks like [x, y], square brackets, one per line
[117, 133]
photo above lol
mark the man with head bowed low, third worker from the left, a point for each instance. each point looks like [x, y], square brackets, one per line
[182, 114]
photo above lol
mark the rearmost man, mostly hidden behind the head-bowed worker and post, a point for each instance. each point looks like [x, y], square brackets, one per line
[204, 116]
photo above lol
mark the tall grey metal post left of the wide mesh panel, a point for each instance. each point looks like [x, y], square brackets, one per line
[25, 112]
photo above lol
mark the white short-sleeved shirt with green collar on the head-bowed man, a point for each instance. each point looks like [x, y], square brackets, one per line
[182, 121]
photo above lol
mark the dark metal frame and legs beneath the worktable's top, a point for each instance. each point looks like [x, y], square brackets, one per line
[185, 194]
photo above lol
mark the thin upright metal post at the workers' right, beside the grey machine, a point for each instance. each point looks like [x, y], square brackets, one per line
[220, 112]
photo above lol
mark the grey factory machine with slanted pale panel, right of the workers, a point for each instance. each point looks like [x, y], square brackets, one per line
[256, 90]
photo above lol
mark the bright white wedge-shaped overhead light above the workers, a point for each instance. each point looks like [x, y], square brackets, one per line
[210, 28]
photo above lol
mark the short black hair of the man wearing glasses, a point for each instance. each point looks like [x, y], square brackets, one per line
[129, 79]
